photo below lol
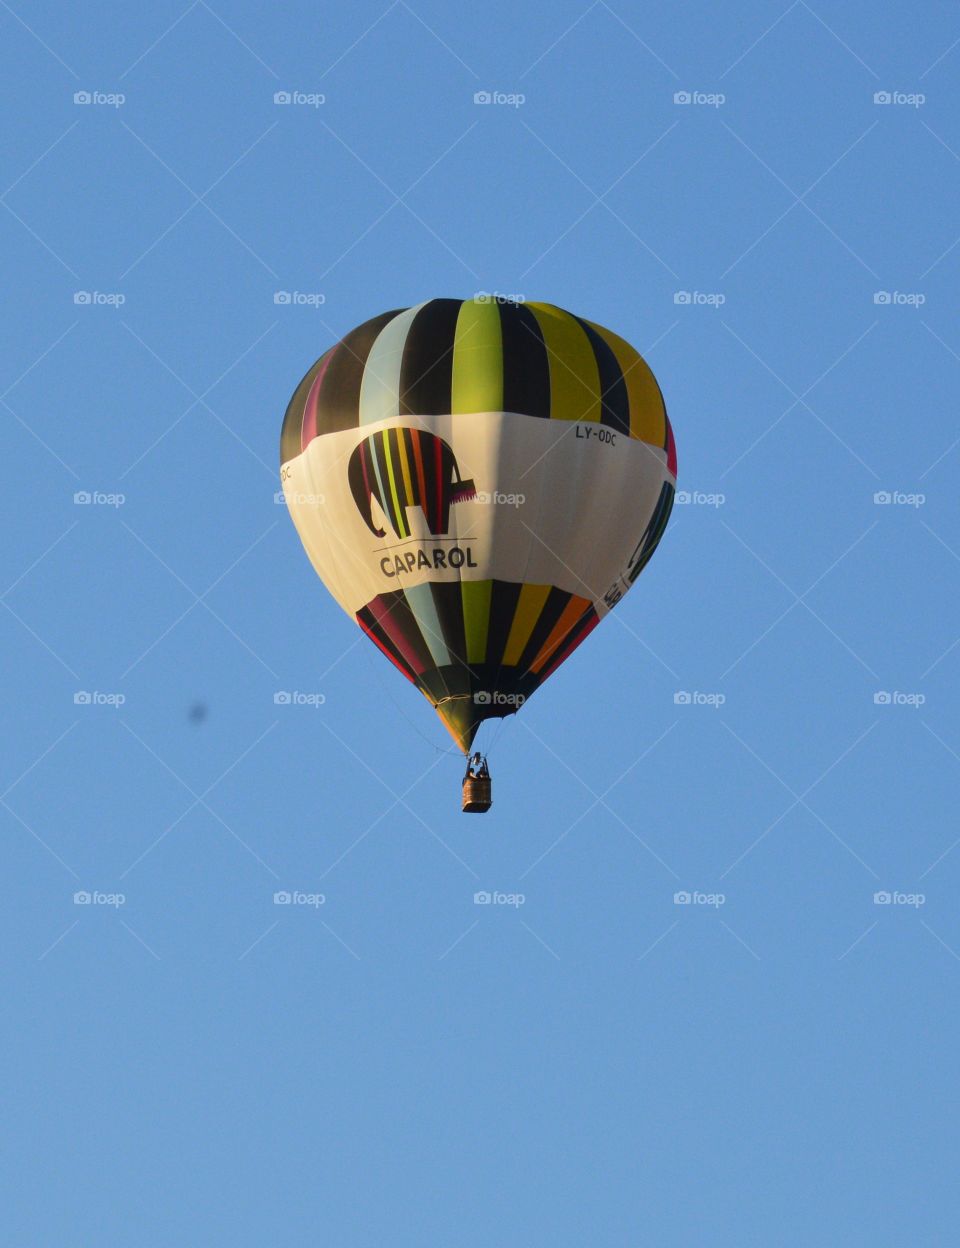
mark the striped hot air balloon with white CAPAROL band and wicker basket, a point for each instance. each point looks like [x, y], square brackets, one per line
[479, 482]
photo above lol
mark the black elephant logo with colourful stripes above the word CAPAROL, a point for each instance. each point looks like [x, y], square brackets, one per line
[405, 469]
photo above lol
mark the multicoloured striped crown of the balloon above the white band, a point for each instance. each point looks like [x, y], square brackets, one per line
[463, 356]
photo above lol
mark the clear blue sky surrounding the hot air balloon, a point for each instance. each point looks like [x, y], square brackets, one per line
[400, 1066]
